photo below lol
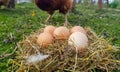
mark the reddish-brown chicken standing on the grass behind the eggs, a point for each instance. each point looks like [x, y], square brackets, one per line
[64, 6]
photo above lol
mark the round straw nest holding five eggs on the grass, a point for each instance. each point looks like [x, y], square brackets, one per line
[99, 56]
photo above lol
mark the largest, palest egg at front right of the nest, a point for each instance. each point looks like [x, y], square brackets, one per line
[78, 40]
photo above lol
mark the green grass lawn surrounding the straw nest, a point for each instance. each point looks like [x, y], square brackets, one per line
[19, 22]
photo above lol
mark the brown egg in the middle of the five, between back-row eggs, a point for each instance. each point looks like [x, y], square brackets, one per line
[61, 33]
